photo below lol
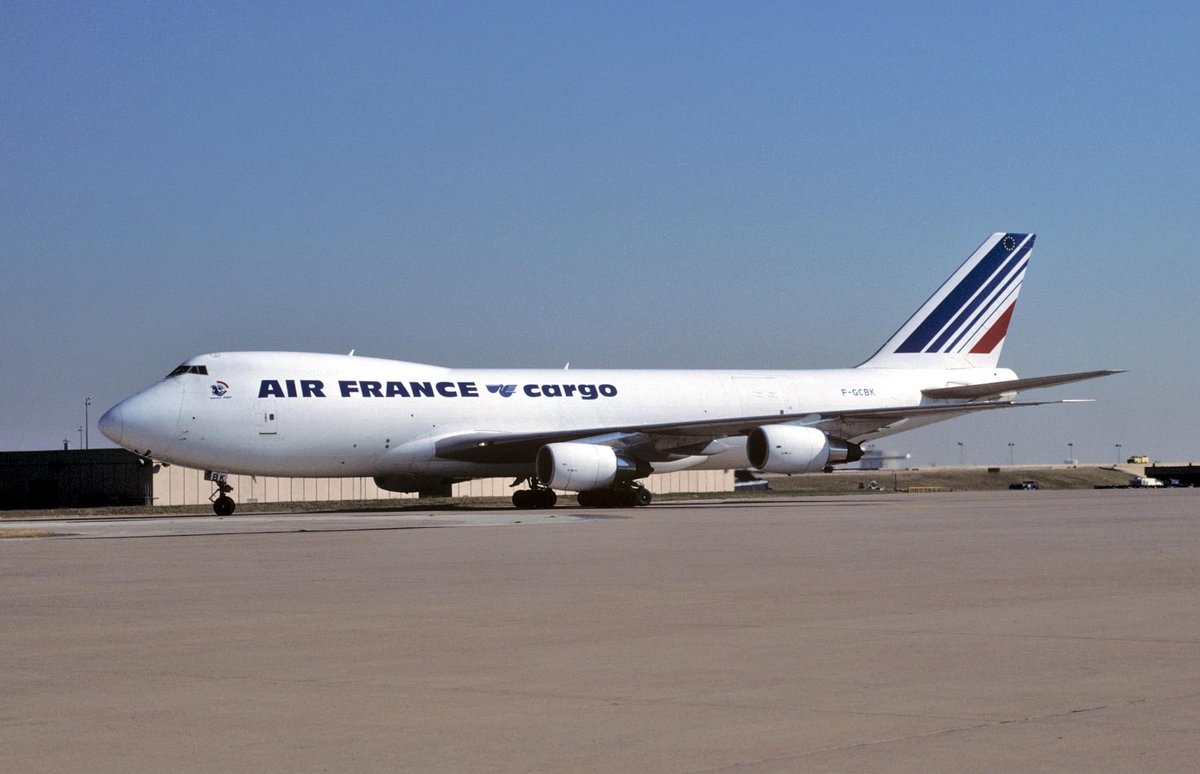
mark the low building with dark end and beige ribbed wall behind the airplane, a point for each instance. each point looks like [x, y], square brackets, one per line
[116, 477]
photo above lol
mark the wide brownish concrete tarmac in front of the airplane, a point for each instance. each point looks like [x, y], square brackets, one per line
[987, 632]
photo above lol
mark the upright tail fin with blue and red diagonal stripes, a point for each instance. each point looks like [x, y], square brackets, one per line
[964, 325]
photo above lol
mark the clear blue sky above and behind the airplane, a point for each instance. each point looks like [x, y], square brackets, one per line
[619, 185]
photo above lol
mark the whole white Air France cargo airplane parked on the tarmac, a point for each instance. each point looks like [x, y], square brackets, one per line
[418, 428]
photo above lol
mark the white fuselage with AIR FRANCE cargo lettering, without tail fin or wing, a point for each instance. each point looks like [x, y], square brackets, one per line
[338, 416]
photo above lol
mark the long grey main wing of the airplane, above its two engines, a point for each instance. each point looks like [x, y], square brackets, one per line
[520, 448]
